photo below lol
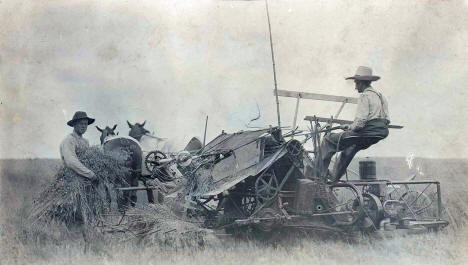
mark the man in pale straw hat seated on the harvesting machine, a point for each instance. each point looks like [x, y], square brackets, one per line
[369, 126]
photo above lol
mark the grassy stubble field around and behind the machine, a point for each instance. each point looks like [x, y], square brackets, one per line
[21, 180]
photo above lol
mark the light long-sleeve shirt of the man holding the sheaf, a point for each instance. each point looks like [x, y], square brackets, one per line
[68, 153]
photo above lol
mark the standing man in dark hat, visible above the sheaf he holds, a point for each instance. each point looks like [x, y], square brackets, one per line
[74, 141]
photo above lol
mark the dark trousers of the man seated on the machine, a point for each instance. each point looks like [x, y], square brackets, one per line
[349, 143]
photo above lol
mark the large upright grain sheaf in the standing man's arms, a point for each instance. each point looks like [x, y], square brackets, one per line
[71, 199]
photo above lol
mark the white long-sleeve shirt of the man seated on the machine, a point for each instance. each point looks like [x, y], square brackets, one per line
[371, 105]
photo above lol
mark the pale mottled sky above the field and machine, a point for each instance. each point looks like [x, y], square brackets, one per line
[172, 63]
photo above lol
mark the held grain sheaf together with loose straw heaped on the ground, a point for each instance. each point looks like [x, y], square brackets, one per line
[72, 201]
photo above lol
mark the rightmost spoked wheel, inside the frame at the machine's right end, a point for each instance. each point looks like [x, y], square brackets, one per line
[418, 204]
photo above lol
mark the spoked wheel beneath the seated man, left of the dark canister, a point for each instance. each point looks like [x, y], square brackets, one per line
[349, 203]
